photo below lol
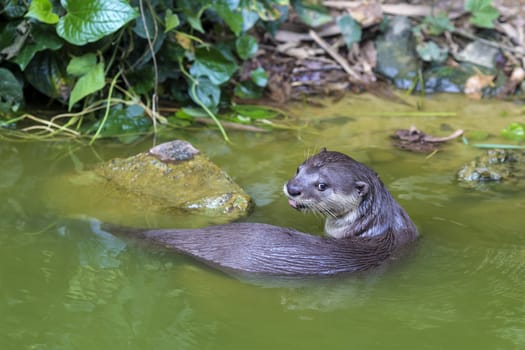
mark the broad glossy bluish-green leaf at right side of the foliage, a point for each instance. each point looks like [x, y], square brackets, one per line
[212, 64]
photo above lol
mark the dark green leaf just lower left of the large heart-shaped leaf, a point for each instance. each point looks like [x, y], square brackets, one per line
[44, 38]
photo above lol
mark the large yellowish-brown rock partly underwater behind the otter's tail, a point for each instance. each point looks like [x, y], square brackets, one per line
[172, 180]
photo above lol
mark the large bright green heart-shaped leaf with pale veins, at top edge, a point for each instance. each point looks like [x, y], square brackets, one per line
[90, 20]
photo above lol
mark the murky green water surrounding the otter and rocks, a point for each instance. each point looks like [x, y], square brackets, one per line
[66, 285]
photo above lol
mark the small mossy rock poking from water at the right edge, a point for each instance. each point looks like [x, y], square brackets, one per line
[495, 165]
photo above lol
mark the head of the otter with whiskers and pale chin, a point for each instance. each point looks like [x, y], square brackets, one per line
[328, 183]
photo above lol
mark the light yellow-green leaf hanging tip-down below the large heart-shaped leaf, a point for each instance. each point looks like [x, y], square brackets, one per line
[92, 78]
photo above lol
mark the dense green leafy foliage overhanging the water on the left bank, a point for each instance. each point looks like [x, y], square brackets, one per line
[105, 56]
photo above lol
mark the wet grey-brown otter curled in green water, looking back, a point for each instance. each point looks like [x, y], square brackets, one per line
[365, 226]
